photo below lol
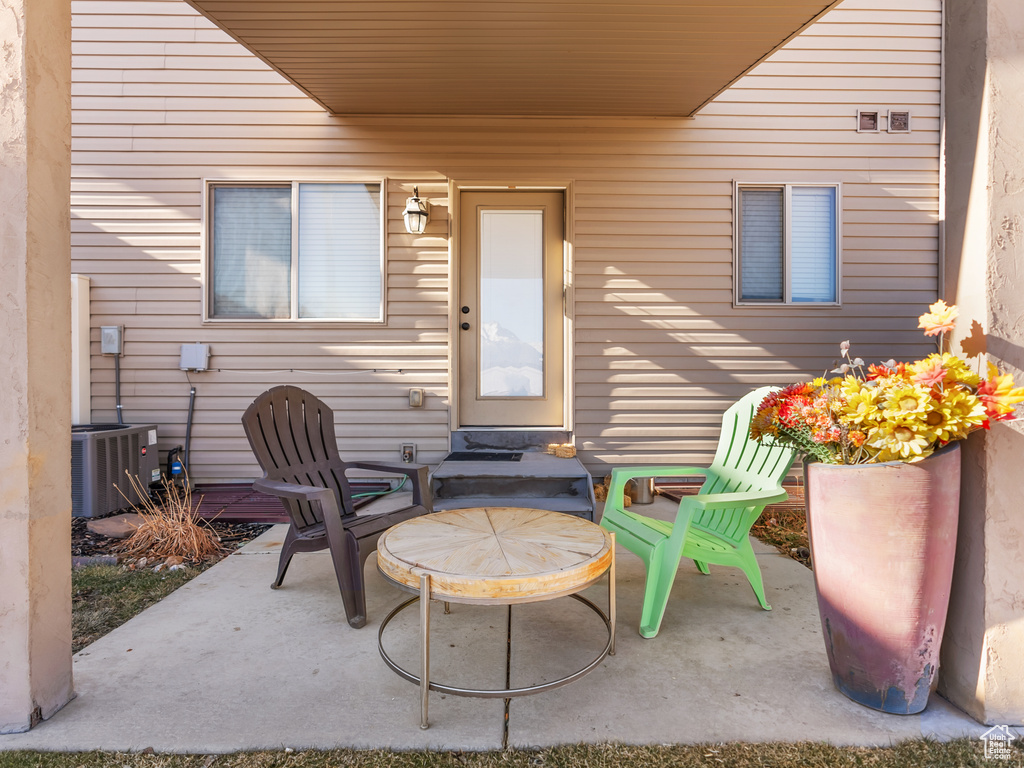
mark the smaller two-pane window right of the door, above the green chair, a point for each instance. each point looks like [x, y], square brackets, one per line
[787, 245]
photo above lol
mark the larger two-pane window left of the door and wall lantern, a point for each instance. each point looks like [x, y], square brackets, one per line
[295, 251]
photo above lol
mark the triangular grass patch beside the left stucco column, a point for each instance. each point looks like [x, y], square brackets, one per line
[104, 598]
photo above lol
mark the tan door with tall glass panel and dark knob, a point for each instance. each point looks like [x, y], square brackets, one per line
[511, 311]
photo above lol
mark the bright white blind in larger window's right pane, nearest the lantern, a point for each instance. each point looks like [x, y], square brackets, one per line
[340, 252]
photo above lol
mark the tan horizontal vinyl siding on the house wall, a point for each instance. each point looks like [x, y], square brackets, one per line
[164, 101]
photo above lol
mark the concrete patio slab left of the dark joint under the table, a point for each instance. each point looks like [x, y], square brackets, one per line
[228, 664]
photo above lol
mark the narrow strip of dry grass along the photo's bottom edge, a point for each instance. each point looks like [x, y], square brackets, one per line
[960, 754]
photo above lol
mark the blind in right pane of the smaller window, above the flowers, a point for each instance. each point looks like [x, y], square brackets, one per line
[813, 252]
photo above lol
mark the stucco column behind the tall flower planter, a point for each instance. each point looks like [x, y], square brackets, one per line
[983, 667]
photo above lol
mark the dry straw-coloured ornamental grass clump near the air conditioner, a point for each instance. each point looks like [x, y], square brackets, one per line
[170, 529]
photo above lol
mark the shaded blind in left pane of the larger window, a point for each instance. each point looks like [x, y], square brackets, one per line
[251, 252]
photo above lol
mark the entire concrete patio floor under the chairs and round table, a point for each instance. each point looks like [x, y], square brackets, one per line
[226, 664]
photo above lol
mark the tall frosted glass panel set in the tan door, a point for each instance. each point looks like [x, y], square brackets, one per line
[511, 352]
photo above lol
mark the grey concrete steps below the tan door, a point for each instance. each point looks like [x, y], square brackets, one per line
[538, 482]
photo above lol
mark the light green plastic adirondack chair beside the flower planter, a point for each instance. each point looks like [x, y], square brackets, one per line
[712, 527]
